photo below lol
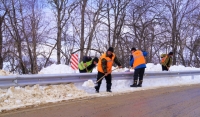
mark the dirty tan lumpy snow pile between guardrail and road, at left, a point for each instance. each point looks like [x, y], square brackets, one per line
[16, 97]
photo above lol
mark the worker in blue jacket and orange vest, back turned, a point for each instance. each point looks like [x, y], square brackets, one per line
[138, 63]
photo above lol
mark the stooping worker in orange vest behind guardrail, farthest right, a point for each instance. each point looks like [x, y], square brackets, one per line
[166, 61]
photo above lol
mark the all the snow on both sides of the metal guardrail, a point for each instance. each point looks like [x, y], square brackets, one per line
[21, 97]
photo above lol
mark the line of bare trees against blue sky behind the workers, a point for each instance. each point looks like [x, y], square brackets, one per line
[32, 31]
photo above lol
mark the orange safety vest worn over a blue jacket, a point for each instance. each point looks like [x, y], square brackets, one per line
[138, 58]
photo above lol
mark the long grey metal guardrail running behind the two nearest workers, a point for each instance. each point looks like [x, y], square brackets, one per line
[24, 80]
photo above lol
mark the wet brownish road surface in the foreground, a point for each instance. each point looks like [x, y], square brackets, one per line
[181, 101]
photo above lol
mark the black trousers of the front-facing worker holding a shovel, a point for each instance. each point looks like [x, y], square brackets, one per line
[108, 80]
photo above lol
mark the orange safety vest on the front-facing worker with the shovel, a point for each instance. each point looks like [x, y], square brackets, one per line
[109, 63]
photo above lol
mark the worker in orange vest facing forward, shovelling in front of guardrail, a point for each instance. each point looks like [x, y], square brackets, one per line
[105, 68]
